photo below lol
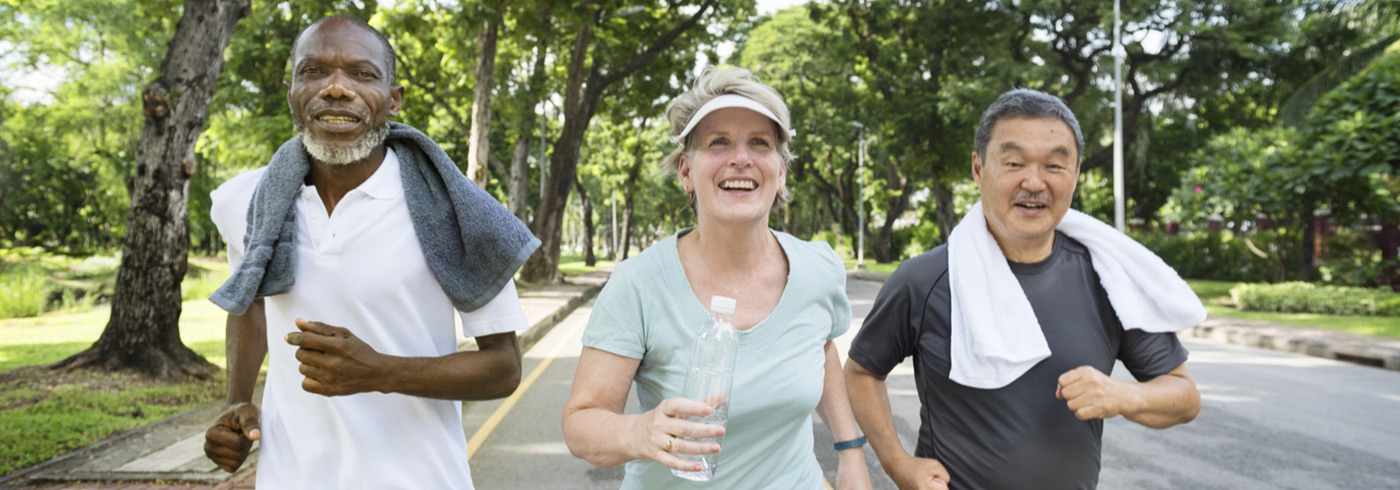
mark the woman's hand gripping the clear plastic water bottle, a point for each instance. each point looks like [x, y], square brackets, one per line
[661, 433]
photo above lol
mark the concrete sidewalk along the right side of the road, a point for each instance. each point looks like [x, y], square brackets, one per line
[1361, 349]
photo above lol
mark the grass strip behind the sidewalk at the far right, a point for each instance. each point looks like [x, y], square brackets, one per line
[1216, 296]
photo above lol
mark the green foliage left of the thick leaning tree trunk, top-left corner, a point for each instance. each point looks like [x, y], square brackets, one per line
[72, 148]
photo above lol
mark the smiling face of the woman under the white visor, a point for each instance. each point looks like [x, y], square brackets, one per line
[736, 171]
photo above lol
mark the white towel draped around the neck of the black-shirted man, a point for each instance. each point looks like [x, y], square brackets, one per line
[996, 337]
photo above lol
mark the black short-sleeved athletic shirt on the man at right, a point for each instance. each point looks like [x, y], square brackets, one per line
[1018, 436]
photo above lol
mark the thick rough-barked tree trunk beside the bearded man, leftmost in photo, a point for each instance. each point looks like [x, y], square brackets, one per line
[143, 331]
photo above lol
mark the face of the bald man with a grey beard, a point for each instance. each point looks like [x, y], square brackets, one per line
[341, 94]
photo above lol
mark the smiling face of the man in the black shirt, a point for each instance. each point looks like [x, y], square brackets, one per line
[1027, 184]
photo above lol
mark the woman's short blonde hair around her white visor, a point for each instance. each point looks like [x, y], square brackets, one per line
[726, 80]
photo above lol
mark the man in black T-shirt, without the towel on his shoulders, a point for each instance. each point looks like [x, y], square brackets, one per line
[1044, 429]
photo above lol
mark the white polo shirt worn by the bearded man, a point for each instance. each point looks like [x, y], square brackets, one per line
[363, 269]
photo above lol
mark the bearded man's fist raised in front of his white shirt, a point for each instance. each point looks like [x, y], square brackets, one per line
[335, 362]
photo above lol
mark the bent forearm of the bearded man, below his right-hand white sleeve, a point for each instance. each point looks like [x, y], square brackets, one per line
[491, 373]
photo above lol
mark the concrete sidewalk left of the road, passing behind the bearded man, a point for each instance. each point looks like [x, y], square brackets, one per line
[170, 454]
